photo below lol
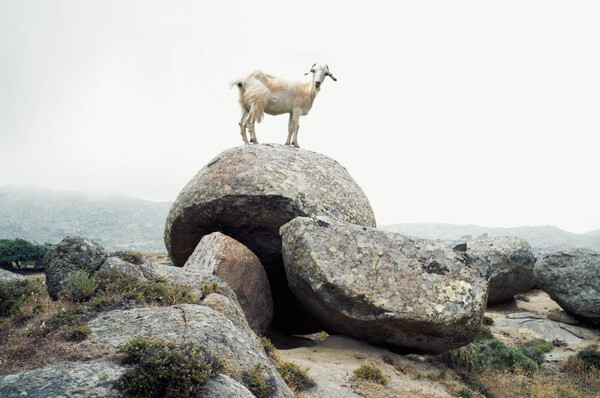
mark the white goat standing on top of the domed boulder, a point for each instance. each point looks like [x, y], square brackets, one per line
[260, 93]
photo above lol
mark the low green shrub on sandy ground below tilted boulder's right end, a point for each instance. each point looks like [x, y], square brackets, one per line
[491, 355]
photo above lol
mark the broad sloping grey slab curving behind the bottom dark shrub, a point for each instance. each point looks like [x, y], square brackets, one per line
[197, 324]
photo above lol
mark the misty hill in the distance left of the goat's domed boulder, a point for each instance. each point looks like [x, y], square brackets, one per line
[118, 222]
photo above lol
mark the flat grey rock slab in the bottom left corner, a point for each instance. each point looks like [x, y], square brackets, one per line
[75, 379]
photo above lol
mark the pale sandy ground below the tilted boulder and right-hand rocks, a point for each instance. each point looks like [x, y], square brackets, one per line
[332, 359]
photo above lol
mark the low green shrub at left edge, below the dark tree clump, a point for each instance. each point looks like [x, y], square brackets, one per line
[15, 293]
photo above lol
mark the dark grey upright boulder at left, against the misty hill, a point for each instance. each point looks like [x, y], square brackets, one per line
[71, 255]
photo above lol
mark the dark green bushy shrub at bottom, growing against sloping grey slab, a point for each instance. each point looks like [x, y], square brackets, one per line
[165, 369]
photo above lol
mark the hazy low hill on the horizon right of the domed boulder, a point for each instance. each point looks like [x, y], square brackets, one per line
[543, 239]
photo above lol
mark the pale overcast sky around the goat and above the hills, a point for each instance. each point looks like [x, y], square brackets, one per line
[467, 112]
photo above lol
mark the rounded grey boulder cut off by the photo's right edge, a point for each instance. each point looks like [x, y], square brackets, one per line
[572, 279]
